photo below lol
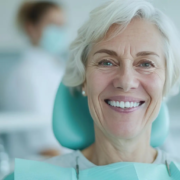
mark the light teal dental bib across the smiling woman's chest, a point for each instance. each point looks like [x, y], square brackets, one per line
[26, 169]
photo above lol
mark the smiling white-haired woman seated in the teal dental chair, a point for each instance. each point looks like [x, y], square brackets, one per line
[126, 60]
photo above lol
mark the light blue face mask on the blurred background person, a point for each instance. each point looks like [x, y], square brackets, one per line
[54, 40]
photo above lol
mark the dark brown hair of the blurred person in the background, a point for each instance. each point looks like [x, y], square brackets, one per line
[33, 12]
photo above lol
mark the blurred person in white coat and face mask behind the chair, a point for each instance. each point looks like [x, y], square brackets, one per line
[32, 86]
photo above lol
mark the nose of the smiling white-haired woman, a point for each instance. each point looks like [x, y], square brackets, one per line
[126, 79]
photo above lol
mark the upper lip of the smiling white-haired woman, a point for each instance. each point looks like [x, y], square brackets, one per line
[124, 99]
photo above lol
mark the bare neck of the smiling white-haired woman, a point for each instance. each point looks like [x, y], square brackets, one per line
[103, 152]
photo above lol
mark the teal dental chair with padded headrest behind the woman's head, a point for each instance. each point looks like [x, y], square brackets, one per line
[73, 125]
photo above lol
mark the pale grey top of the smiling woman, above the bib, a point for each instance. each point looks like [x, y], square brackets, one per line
[70, 160]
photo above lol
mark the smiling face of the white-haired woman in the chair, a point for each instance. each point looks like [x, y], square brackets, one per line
[125, 77]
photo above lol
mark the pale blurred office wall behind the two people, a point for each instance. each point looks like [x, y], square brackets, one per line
[12, 43]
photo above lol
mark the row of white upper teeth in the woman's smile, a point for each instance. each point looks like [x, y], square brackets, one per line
[123, 104]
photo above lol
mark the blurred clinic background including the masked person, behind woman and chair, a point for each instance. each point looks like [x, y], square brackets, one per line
[32, 63]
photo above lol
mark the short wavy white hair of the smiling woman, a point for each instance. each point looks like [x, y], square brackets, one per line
[122, 12]
